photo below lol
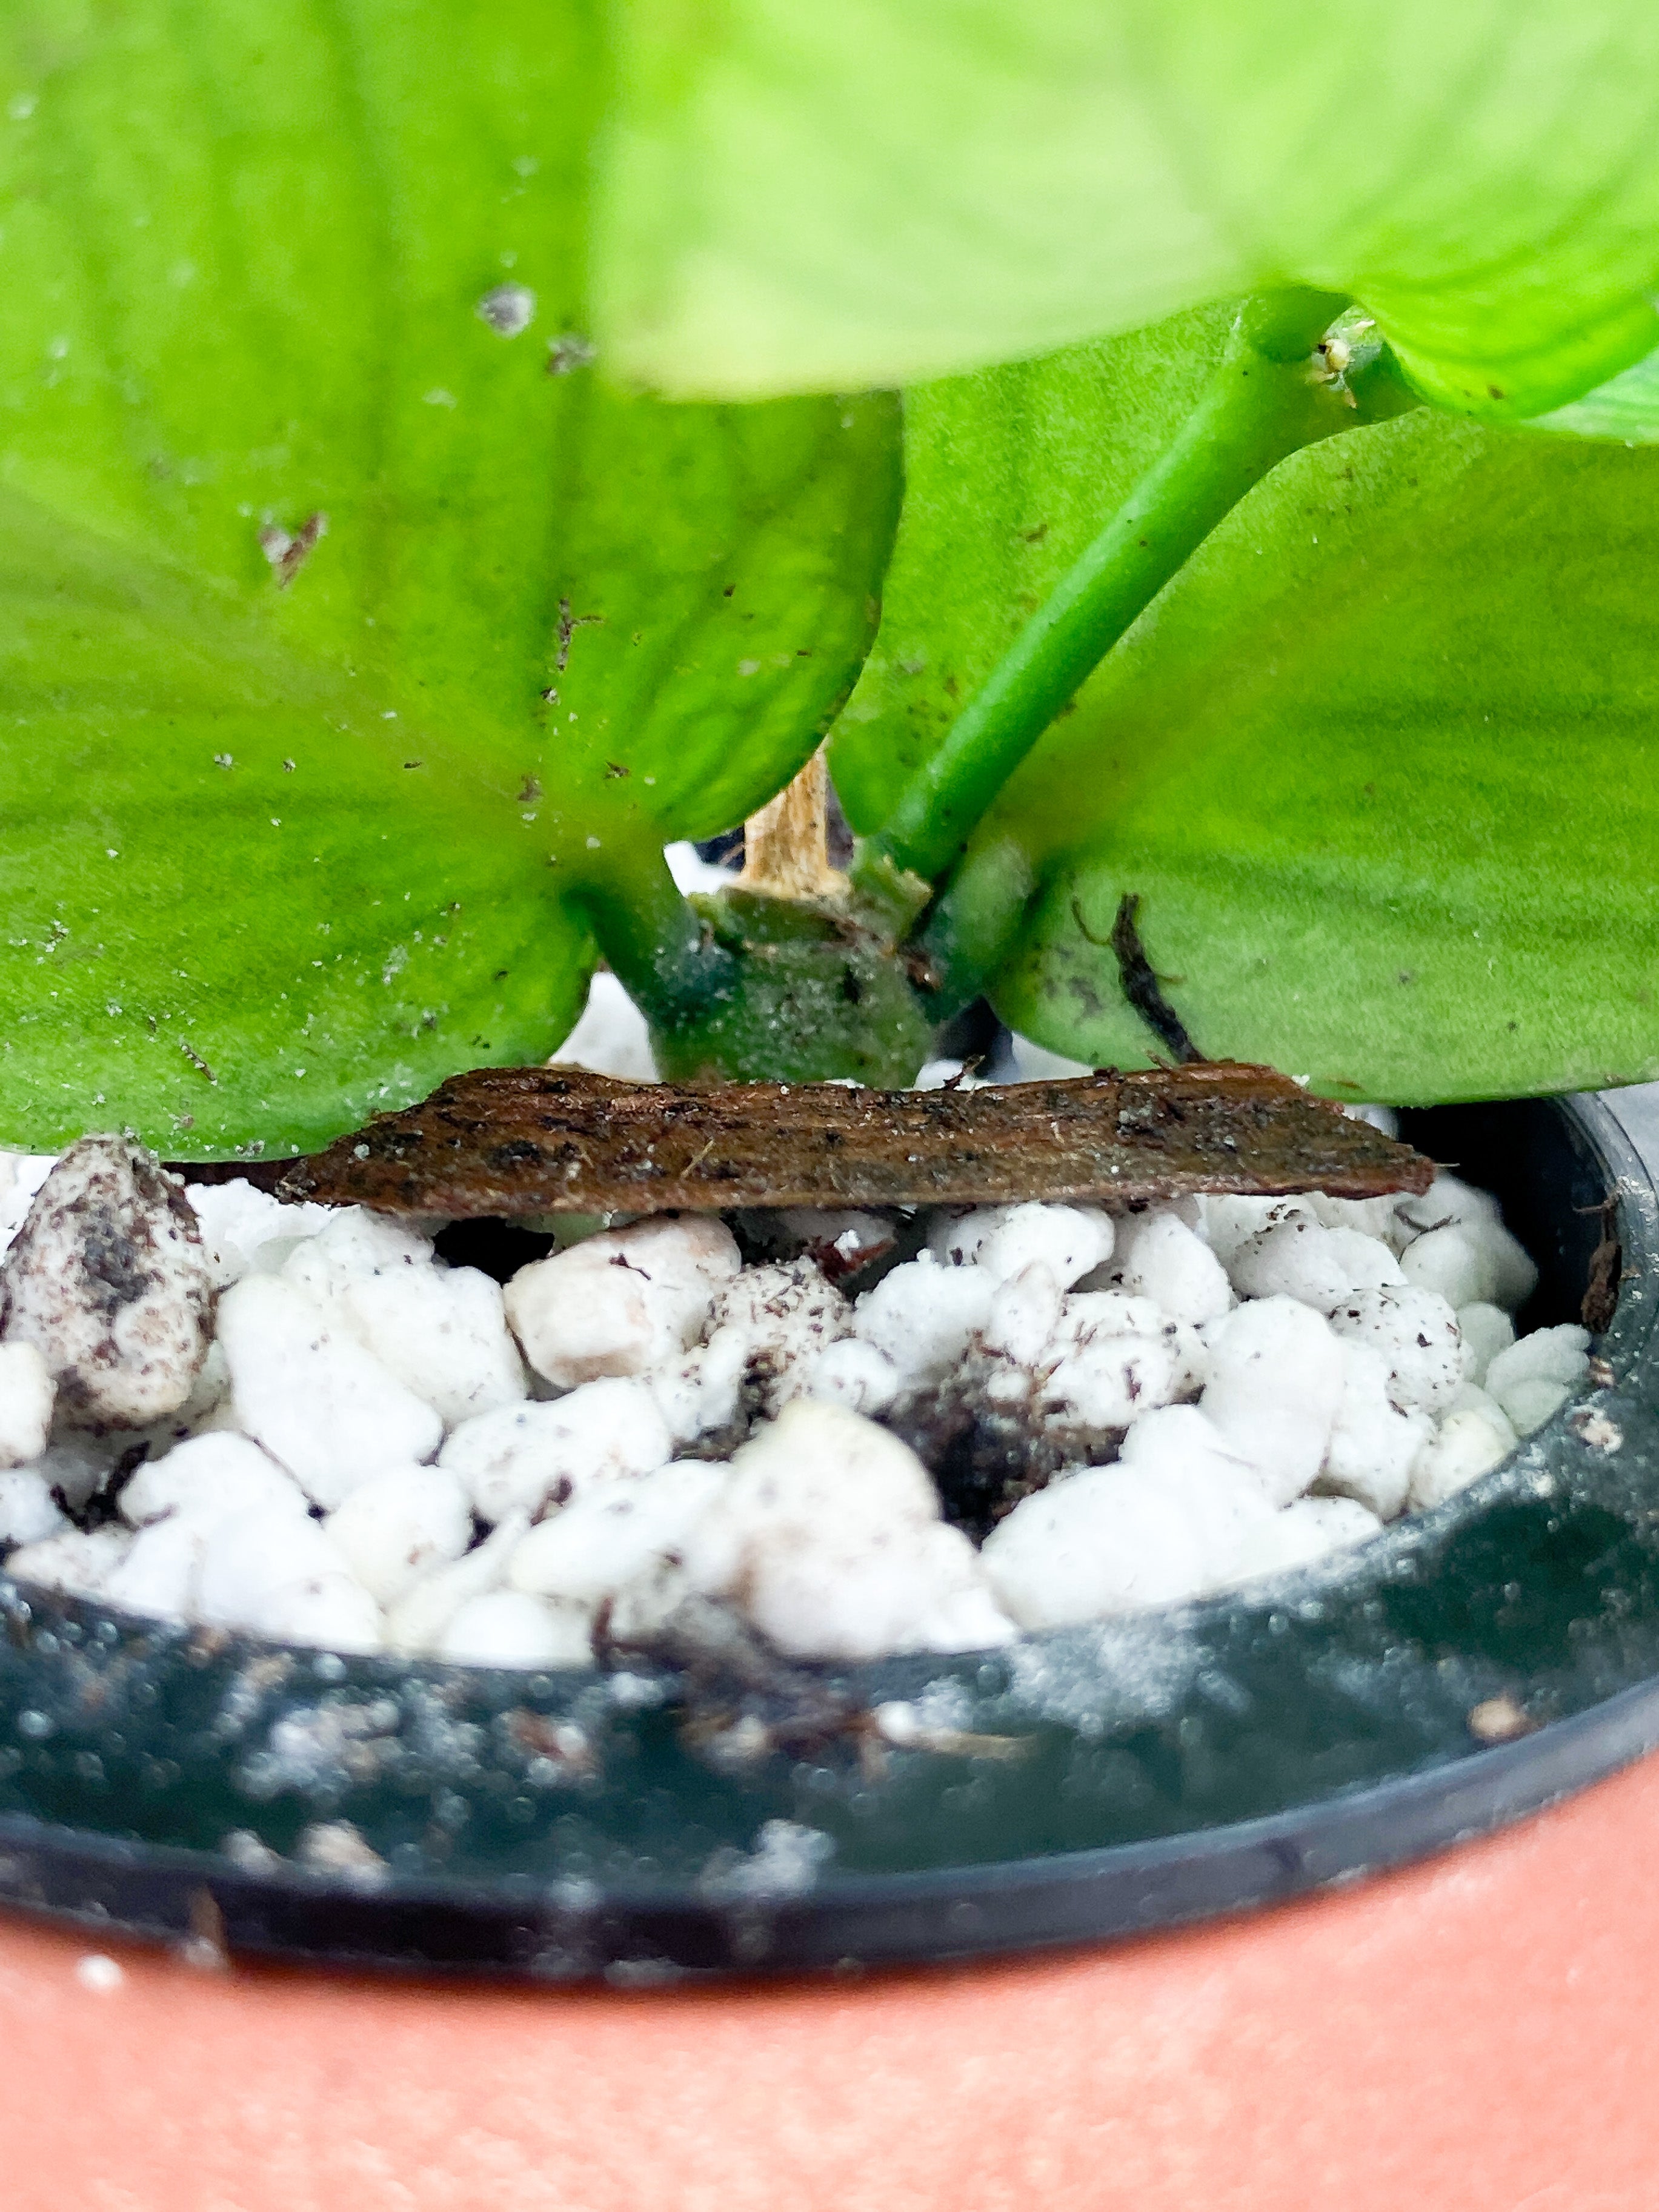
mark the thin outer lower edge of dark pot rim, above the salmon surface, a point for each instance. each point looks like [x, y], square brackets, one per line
[939, 1917]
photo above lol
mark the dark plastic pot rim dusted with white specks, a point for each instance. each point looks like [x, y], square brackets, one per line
[565, 1828]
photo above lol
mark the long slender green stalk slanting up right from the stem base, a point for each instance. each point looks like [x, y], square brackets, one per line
[1271, 397]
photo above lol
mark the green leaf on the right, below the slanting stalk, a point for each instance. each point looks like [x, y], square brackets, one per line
[1384, 766]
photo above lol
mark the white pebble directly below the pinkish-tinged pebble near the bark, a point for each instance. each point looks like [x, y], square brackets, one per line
[543, 1454]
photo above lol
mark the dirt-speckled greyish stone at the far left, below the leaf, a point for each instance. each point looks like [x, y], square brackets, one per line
[109, 1282]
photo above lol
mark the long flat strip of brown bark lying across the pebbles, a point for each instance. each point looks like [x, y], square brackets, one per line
[559, 1140]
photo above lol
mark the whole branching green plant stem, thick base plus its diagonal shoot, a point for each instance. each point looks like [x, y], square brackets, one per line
[808, 1001]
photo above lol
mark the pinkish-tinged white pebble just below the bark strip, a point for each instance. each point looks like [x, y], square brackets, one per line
[623, 1302]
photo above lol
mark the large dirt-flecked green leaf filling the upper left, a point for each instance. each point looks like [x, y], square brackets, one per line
[244, 258]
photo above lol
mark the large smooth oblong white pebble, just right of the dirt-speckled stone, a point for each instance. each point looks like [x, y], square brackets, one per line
[313, 1397]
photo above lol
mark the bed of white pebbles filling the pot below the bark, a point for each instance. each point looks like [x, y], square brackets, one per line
[382, 1452]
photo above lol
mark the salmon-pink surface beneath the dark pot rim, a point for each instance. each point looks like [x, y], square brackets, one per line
[1470, 2036]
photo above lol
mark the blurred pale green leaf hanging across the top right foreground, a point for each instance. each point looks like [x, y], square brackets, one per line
[890, 191]
